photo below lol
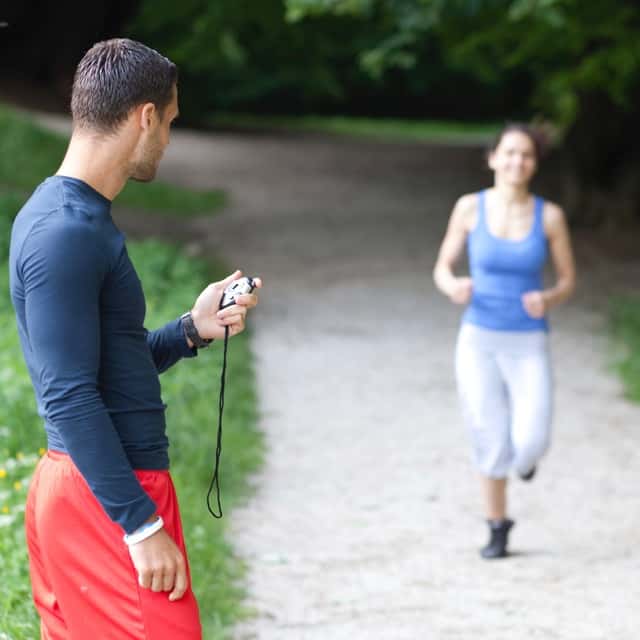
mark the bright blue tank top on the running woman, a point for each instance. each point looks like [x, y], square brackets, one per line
[502, 270]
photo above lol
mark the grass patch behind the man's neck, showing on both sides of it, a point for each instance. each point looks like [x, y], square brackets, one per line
[29, 153]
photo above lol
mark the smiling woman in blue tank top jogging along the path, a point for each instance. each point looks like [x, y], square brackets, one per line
[502, 357]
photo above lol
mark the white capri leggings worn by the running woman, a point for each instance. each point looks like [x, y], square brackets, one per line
[505, 387]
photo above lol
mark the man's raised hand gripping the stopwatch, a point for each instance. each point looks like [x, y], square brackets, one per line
[210, 322]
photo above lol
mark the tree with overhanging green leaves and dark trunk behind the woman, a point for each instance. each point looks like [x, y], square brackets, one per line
[583, 57]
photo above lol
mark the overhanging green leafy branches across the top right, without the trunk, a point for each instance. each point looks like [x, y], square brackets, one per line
[570, 47]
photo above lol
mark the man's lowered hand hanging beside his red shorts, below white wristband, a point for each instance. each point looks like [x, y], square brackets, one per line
[160, 564]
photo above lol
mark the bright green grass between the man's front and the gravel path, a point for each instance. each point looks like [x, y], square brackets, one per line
[190, 389]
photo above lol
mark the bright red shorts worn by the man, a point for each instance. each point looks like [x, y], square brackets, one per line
[84, 584]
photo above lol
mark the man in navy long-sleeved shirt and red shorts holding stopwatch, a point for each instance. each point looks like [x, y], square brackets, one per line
[80, 311]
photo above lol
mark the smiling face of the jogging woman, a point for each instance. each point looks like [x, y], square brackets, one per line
[514, 159]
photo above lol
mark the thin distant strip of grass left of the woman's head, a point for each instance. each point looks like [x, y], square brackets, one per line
[383, 128]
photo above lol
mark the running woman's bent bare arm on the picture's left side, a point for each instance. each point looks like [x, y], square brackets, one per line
[460, 222]
